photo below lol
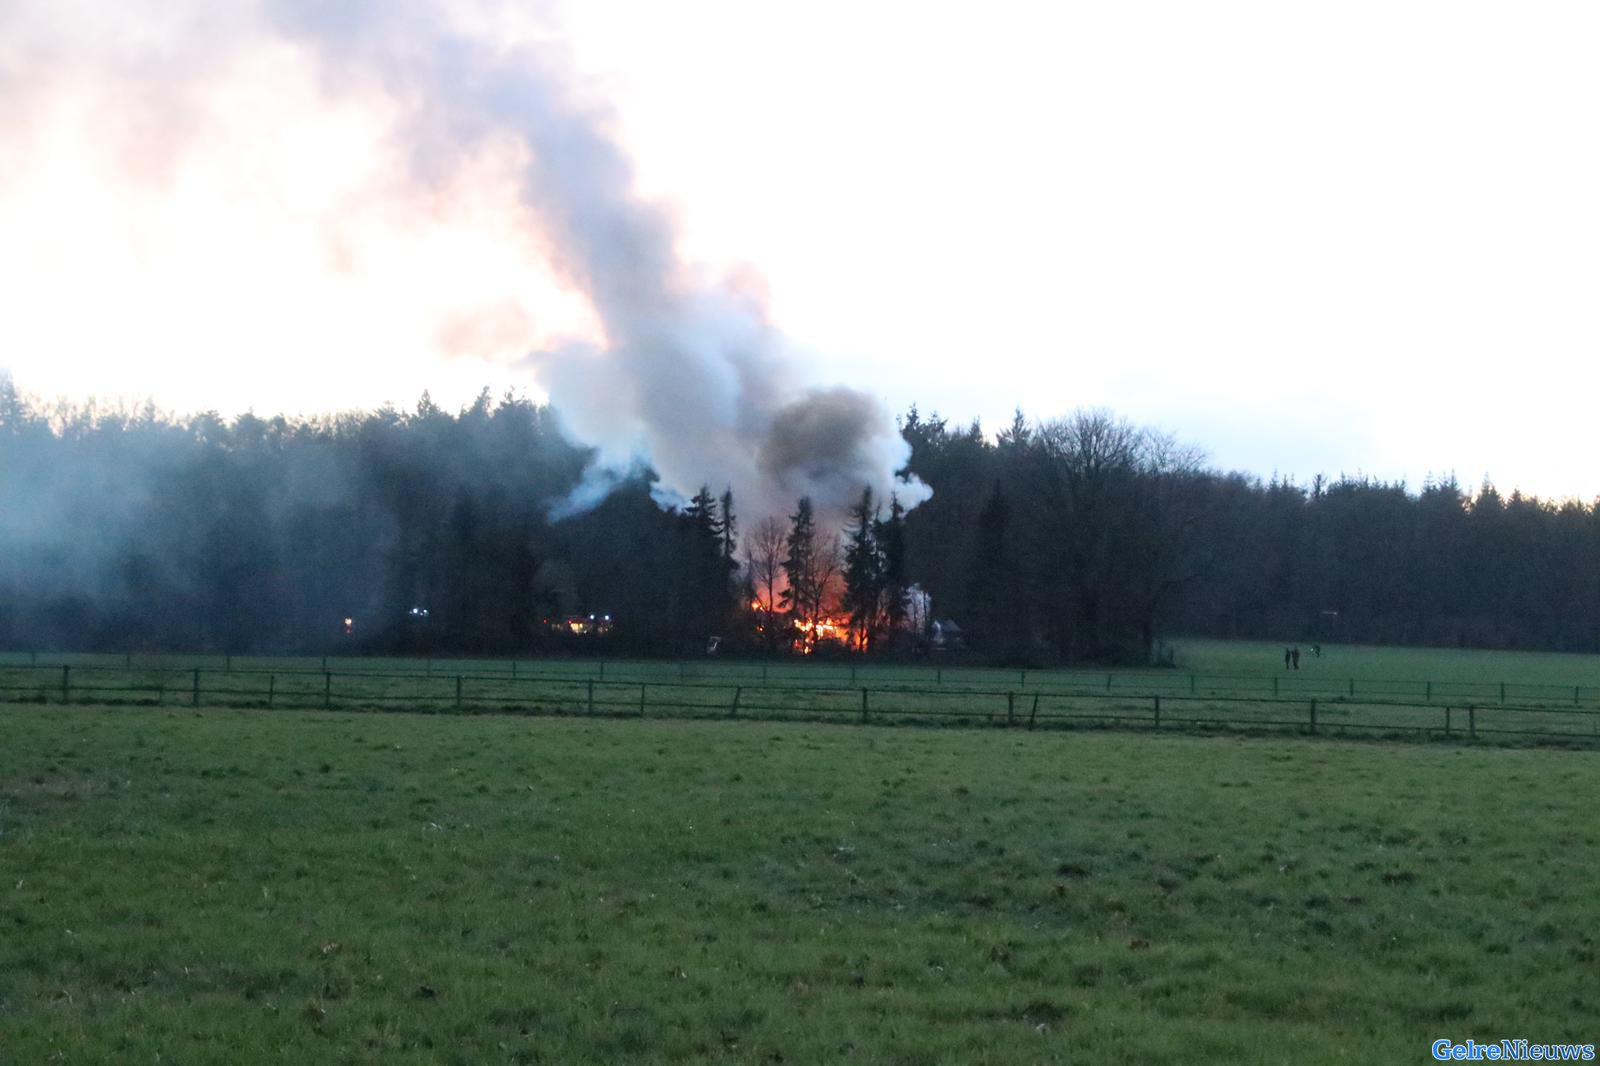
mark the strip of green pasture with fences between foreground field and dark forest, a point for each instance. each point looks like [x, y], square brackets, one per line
[1217, 686]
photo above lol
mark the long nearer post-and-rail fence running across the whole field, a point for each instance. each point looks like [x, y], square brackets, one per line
[1022, 707]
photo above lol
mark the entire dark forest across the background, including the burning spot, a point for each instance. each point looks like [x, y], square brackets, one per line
[1073, 540]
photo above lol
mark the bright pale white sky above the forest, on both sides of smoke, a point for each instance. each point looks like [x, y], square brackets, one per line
[1334, 238]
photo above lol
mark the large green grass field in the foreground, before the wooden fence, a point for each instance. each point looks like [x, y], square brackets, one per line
[246, 888]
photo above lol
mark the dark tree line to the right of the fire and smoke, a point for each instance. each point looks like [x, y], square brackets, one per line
[1086, 537]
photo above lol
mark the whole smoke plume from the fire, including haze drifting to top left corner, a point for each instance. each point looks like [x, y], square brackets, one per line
[684, 372]
